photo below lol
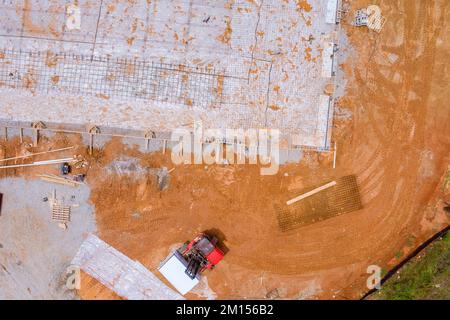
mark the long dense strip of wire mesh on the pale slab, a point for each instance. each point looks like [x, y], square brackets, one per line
[110, 78]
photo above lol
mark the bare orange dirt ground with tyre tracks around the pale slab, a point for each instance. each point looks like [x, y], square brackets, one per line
[397, 143]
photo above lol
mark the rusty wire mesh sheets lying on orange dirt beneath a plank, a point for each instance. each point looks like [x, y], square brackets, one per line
[342, 198]
